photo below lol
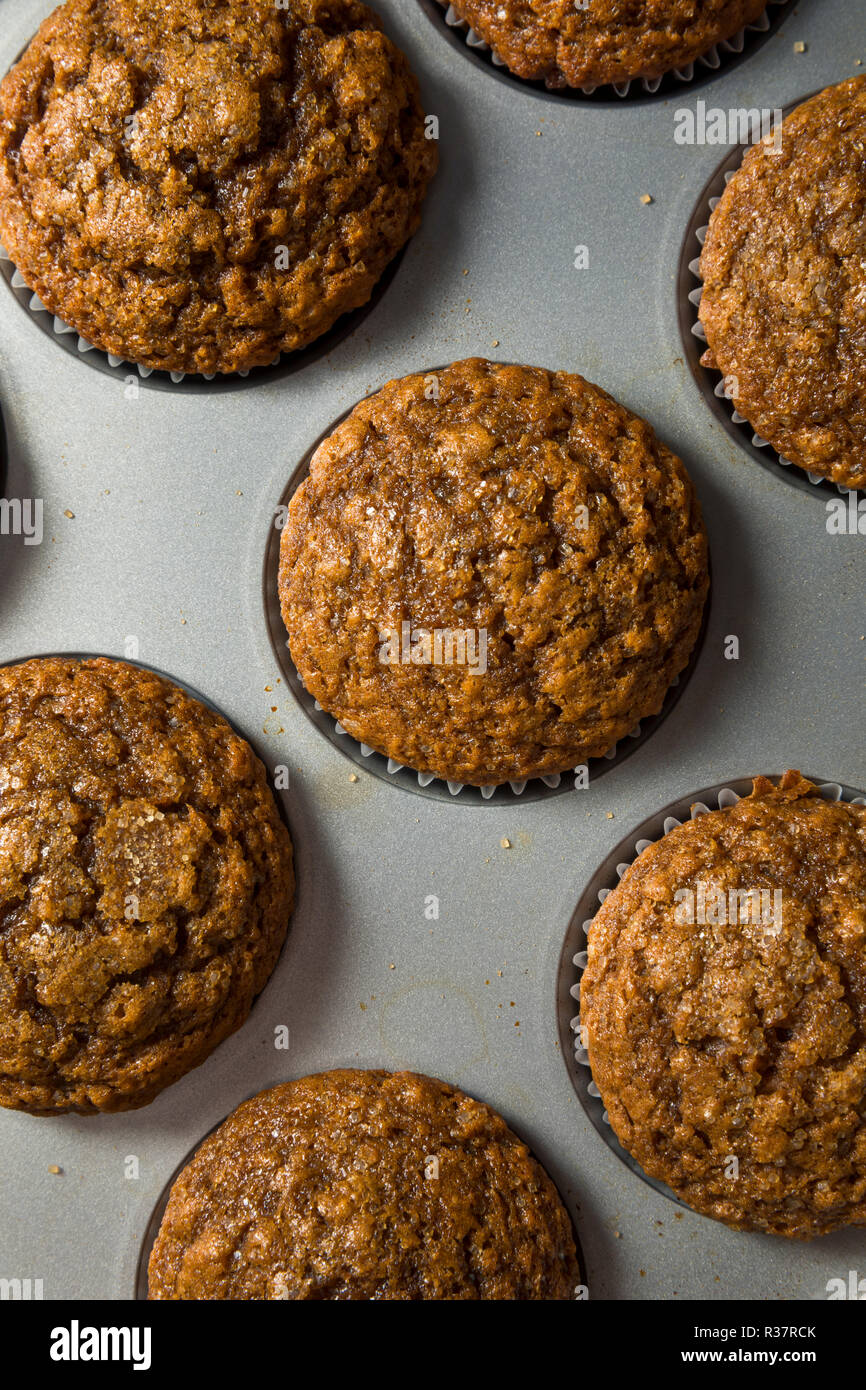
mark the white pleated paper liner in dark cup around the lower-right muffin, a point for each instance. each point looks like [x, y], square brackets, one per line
[573, 960]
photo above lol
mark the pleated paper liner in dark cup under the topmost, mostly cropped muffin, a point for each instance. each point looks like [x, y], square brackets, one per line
[721, 56]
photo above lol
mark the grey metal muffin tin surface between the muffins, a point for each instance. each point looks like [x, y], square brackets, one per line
[172, 497]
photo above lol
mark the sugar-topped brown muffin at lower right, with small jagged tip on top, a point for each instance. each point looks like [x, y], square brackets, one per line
[725, 1011]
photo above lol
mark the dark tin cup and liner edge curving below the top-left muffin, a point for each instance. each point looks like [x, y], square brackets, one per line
[129, 373]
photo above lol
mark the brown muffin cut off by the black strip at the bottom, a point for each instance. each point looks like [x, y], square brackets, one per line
[363, 1185]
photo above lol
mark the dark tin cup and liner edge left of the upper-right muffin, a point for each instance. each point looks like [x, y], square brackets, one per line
[711, 382]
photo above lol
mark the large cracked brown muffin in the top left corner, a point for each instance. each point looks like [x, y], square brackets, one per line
[199, 186]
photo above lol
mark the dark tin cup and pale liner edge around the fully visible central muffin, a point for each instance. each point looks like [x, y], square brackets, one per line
[398, 775]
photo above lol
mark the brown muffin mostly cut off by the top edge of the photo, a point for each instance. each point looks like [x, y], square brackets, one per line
[608, 41]
